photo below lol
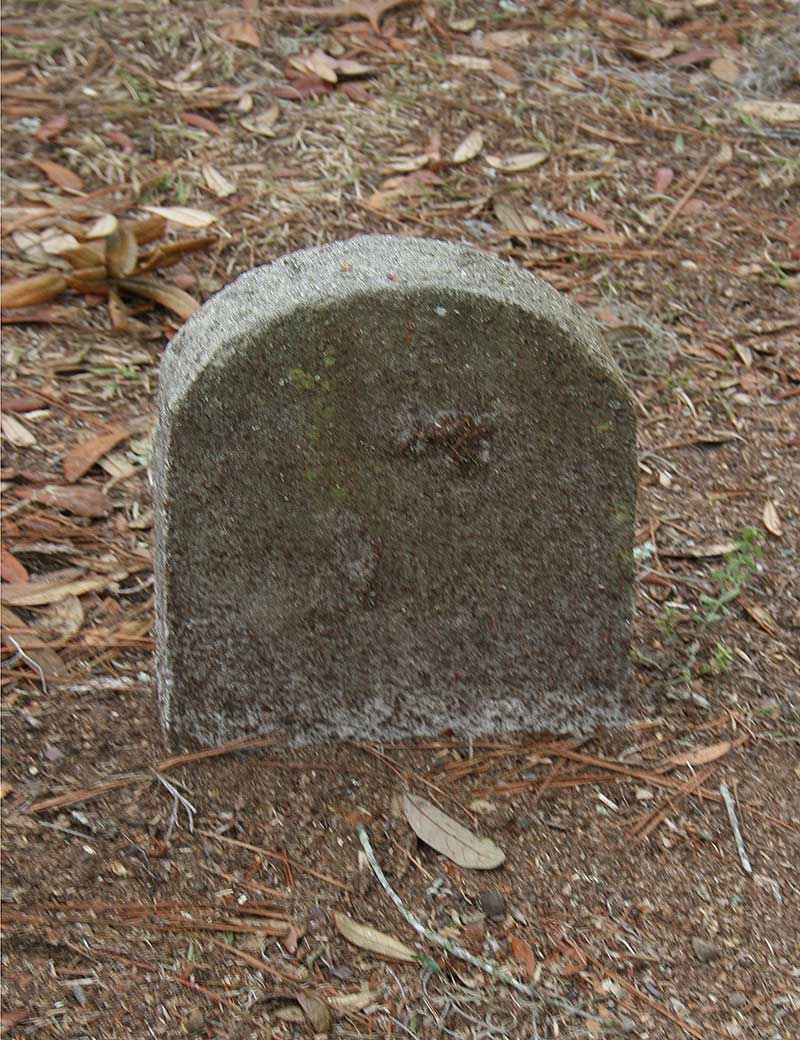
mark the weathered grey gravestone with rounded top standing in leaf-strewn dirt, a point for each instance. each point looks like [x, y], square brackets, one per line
[395, 493]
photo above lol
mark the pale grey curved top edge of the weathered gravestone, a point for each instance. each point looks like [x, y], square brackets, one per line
[363, 267]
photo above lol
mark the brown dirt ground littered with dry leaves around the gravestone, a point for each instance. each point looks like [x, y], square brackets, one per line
[644, 160]
